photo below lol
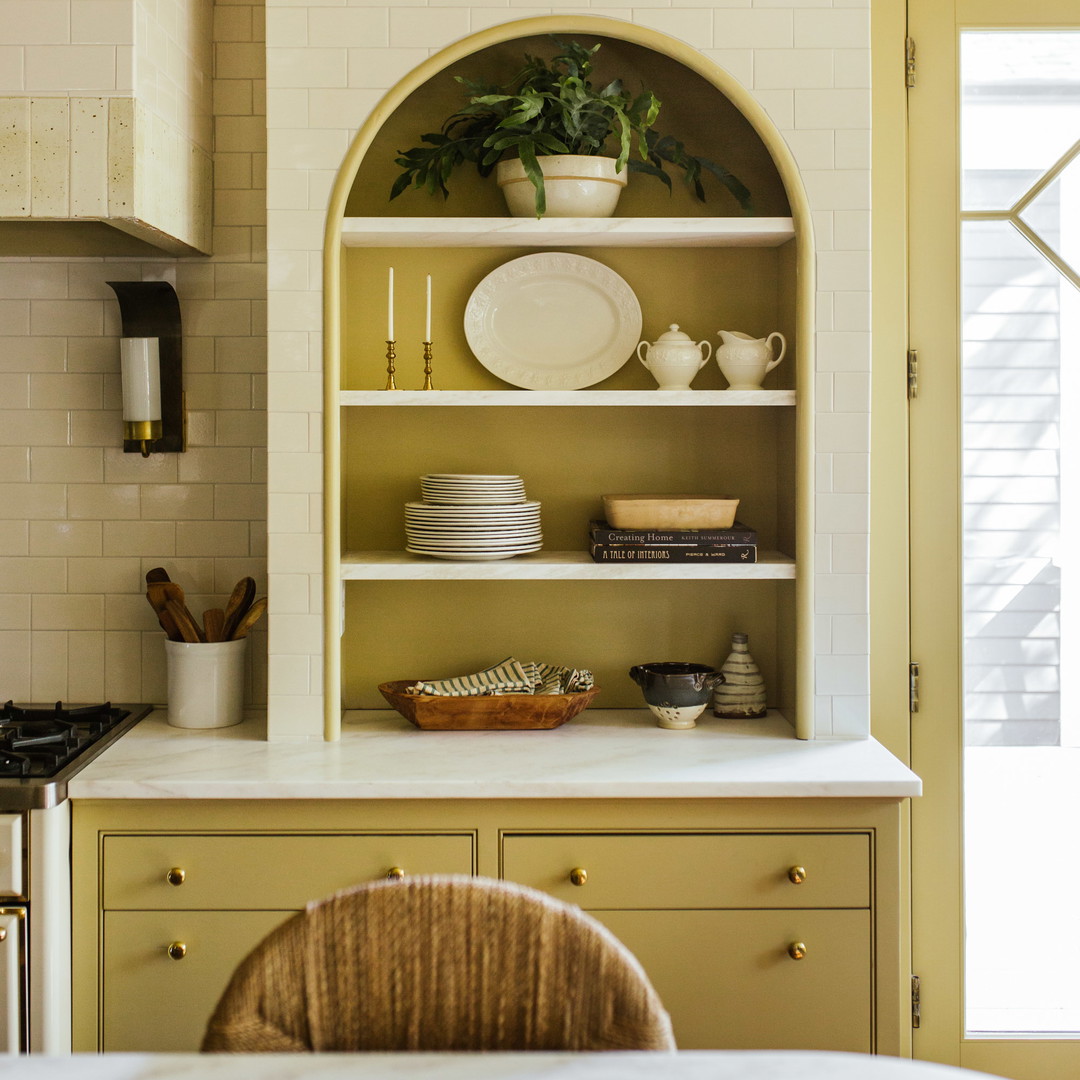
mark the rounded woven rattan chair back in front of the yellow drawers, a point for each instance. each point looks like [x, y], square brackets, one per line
[439, 964]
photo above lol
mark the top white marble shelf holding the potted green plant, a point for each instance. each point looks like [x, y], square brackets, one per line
[566, 232]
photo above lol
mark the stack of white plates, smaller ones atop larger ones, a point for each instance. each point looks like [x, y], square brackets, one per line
[472, 518]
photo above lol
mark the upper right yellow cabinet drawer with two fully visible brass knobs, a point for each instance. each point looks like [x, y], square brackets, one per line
[686, 871]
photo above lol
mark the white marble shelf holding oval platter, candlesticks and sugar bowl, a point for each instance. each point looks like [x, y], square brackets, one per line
[399, 399]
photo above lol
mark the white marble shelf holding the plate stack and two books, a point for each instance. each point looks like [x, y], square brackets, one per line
[553, 566]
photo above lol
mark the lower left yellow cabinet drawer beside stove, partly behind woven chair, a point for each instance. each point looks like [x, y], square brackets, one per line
[155, 1003]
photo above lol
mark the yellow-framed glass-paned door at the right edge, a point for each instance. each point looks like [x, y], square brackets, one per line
[996, 534]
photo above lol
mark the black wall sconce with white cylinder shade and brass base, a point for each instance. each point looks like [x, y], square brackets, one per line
[152, 368]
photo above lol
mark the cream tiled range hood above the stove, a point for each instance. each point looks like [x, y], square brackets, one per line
[118, 164]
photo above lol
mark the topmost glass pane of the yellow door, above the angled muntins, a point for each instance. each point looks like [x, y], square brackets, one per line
[1021, 112]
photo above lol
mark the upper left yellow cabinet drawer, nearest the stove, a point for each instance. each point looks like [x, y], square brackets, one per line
[264, 872]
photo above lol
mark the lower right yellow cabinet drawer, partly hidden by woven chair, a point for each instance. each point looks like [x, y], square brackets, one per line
[730, 982]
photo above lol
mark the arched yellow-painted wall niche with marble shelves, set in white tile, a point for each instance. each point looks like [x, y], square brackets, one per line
[375, 454]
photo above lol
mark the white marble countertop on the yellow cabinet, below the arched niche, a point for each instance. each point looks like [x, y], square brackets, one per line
[601, 754]
